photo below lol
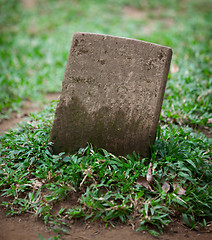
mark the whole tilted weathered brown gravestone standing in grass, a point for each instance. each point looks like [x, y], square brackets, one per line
[112, 94]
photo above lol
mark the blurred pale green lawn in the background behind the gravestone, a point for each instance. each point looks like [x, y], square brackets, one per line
[36, 36]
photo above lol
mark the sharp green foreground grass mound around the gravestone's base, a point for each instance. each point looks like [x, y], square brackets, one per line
[107, 187]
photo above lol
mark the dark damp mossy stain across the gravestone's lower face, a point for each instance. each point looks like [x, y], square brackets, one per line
[113, 133]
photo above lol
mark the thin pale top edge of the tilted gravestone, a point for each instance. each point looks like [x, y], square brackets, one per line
[124, 38]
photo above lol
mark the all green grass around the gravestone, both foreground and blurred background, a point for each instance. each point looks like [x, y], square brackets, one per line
[107, 187]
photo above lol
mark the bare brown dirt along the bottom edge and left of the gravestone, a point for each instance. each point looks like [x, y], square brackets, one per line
[27, 227]
